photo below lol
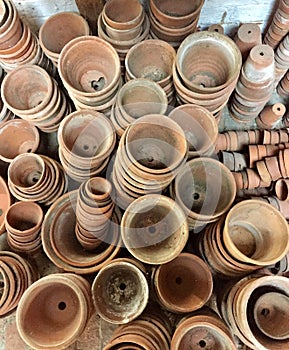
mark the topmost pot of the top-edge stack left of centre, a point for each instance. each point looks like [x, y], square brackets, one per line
[118, 19]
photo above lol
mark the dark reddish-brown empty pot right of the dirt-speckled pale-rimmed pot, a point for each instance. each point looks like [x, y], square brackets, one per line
[174, 287]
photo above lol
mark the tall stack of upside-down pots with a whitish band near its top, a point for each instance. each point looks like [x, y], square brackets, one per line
[255, 85]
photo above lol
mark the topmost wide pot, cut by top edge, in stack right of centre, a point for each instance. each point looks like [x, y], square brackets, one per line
[175, 16]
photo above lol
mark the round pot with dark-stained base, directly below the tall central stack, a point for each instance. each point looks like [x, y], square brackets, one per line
[149, 227]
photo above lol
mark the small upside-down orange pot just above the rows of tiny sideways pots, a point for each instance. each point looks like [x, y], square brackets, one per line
[271, 116]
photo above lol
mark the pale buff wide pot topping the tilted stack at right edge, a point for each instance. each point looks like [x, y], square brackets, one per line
[254, 221]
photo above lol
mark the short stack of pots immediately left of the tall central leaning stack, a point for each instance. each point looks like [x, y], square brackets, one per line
[86, 139]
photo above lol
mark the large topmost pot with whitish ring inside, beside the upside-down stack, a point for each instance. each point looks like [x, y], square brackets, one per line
[205, 77]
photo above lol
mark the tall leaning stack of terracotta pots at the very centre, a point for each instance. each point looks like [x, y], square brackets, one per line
[150, 153]
